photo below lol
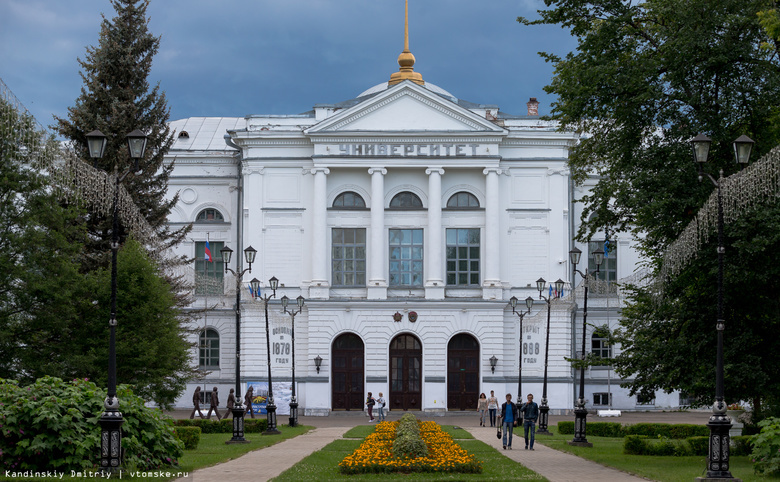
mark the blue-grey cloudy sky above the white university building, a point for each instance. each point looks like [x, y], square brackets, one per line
[240, 57]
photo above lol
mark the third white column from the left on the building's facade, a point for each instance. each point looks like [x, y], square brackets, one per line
[434, 281]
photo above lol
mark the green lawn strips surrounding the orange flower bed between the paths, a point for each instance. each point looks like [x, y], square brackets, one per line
[323, 464]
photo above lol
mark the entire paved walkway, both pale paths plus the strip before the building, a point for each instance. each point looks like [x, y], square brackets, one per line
[264, 464]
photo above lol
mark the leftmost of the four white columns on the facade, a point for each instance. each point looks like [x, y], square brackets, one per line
[319, 256]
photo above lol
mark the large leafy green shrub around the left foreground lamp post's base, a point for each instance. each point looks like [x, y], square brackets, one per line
[53, 424]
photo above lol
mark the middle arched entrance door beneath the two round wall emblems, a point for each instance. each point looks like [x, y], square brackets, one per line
[405, 373]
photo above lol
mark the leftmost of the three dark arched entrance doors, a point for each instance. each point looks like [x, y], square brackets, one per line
[347, 373]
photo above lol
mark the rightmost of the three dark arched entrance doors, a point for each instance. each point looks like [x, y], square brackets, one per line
[462, 372]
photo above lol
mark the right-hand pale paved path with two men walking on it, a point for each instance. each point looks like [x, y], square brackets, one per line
[554, 465]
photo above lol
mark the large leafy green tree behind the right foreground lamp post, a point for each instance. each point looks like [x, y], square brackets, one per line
[645, 79]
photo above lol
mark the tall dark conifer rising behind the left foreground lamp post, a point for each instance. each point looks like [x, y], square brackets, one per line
[116, 99]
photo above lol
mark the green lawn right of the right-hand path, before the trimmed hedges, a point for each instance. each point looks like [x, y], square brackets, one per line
[609, 451]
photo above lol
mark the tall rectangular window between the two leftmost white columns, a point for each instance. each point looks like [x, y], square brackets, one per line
[348, 256]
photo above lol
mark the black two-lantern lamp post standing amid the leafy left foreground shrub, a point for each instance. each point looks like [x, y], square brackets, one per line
[111, 420]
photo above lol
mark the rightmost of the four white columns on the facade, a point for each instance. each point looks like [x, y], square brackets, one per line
[491, 282]
